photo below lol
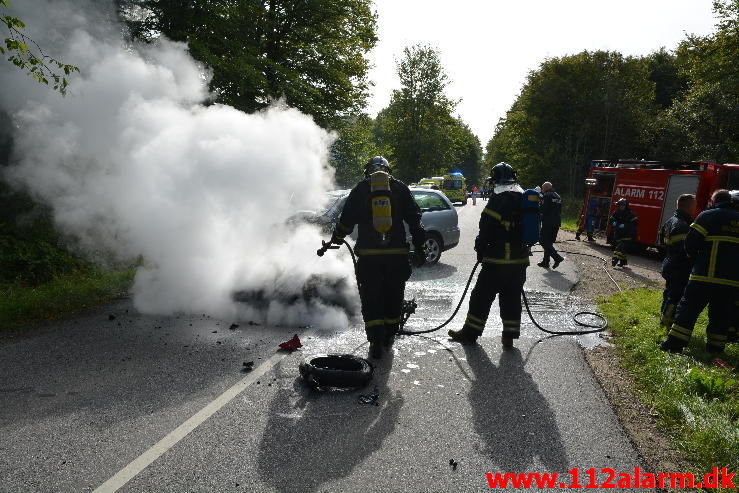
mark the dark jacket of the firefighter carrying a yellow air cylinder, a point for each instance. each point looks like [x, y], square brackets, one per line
[358, 210]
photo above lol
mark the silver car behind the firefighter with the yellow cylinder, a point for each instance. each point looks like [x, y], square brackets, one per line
[439, 219]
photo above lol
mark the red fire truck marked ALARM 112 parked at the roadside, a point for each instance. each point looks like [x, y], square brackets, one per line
[652, 189]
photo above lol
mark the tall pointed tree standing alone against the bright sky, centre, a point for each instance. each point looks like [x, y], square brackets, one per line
[418, 125]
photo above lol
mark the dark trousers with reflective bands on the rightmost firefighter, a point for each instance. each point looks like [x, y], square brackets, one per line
[720, 300]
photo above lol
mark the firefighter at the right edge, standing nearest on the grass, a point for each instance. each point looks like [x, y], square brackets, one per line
[713, 244]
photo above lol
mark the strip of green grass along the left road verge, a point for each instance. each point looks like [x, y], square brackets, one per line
[22, 304]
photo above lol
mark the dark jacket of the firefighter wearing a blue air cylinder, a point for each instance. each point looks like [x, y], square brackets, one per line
[500, 237]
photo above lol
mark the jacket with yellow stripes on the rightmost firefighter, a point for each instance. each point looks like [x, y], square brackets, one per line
[713, 243]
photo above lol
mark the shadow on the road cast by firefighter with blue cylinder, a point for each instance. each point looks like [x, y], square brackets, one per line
[510, 415]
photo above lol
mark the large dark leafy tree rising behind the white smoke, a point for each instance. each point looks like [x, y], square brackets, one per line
[311, 52]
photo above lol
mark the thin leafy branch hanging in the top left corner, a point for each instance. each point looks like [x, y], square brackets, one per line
[23, 52]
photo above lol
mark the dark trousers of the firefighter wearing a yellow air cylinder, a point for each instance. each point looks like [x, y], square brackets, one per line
[382, 281]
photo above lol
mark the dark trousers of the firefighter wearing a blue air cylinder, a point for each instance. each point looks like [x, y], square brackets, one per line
[506, 281]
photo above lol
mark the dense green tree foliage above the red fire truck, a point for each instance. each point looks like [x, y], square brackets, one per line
[679, 105]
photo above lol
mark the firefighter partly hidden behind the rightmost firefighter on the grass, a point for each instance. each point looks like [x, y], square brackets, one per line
[676, 265]
